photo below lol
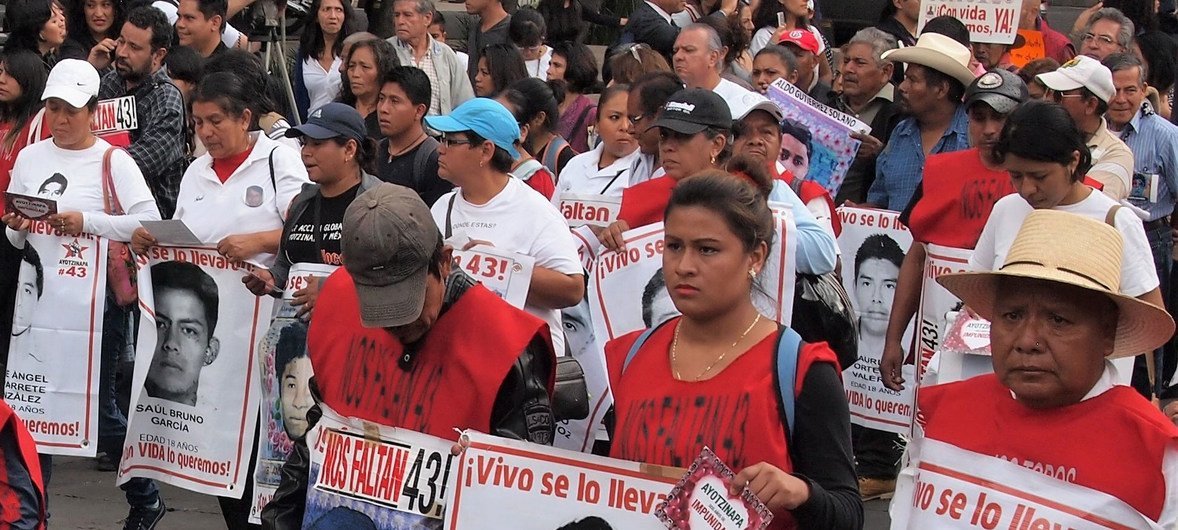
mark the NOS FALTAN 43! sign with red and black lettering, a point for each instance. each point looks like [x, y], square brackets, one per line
[369, 476]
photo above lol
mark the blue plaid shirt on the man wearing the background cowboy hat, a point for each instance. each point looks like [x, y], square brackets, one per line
[901, 167]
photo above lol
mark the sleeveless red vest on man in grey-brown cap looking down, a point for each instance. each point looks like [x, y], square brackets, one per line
[455, 377]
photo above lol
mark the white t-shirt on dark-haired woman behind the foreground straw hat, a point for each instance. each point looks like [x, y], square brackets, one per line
[1137, 274]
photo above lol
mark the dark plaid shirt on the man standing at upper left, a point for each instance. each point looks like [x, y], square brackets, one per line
[158, 147]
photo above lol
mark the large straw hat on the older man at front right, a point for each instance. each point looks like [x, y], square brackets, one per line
[1041, 253]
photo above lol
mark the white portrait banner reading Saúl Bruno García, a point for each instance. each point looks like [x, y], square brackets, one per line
[195, 399]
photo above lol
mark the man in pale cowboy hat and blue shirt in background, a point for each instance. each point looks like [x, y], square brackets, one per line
[935, 81]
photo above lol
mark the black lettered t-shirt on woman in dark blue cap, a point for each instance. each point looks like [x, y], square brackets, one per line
[315, 237]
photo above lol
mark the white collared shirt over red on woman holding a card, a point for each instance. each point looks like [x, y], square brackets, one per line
[214, 210]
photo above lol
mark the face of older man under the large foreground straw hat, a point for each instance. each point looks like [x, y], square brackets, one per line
[1049, 341]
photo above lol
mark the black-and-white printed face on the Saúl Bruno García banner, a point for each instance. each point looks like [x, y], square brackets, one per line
[184, 344]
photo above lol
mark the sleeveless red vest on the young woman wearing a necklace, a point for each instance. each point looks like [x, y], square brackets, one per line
[667, 422]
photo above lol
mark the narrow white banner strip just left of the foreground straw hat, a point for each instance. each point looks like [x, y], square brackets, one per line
[937, 302]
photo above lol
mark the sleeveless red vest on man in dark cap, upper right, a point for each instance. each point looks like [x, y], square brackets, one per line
[959, 194]
